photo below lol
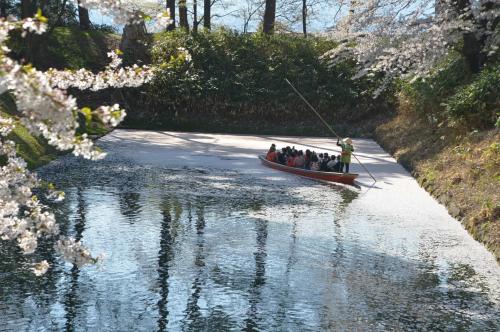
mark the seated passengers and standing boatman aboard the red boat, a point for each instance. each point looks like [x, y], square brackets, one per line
[312, 161]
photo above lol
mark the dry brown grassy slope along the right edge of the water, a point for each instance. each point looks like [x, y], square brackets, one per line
[461, 172]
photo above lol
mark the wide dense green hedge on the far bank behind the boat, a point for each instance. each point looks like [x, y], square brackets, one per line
[241, 77]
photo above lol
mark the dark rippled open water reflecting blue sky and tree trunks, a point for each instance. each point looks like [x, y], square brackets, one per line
[193, 249]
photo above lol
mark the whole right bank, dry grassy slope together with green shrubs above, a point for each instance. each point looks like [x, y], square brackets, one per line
[446, 132]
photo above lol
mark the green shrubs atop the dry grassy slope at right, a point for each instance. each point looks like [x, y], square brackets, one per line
[452, 94]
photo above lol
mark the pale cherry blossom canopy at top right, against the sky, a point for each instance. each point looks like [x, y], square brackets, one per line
[403, 38]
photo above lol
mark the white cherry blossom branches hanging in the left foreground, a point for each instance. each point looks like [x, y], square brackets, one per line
[46, 109]
